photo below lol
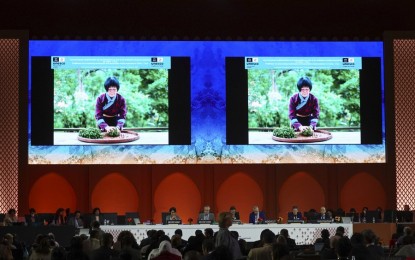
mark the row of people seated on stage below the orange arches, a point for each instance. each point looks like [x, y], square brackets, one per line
[65, 217]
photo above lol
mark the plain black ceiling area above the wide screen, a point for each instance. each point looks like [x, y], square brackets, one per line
[210, 19]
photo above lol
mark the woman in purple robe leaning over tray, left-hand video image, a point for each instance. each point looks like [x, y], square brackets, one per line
[111, 108]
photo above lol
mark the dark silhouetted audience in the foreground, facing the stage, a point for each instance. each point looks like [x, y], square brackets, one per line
[223, 244]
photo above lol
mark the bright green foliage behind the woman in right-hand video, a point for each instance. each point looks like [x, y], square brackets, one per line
[337, 91]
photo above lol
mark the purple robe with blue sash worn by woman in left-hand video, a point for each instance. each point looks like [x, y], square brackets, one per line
[114, 114]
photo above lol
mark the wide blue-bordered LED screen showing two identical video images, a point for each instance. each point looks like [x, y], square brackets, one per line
[215, 102]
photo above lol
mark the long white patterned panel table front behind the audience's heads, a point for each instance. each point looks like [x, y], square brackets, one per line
[303, 234]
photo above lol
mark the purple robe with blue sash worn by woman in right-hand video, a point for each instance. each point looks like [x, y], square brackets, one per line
[307, 115]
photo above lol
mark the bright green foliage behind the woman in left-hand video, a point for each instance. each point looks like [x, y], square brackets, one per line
[76, 91]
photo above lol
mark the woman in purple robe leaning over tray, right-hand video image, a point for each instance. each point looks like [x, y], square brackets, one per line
[303, 107]
